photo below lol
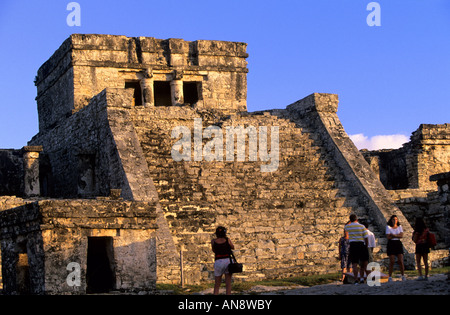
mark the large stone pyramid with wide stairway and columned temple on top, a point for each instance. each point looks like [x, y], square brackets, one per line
[100, 130]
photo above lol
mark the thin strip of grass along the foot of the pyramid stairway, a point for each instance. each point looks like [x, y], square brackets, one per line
[304, 281]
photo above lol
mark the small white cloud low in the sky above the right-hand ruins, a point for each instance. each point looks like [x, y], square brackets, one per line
[378, 142]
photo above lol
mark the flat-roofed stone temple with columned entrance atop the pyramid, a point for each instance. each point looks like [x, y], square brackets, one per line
[87, 64]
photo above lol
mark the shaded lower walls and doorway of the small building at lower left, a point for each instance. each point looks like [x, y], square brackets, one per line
[99, 267]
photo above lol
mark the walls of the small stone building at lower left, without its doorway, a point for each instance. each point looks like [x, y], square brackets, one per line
[50, 234]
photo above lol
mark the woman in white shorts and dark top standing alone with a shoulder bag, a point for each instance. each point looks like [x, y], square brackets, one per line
[222, 246]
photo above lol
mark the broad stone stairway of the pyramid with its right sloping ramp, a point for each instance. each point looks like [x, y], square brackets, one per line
[295, 213]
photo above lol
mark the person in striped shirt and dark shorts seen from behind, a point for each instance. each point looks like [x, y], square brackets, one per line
[357, 235]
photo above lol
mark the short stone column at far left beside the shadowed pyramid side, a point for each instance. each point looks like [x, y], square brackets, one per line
[31, 170]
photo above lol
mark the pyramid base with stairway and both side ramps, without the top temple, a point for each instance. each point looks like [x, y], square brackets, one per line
[283, 223]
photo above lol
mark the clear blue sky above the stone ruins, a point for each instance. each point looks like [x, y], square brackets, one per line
[389, 78]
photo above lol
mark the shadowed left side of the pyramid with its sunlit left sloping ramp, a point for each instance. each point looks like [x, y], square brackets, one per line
[103, 131]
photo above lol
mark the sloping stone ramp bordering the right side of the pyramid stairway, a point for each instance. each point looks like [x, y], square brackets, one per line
[317, 114]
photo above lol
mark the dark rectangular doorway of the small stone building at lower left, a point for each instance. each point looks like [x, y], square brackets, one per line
[100, 268]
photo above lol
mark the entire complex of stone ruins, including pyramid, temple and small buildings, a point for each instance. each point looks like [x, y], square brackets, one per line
[96, 202]
